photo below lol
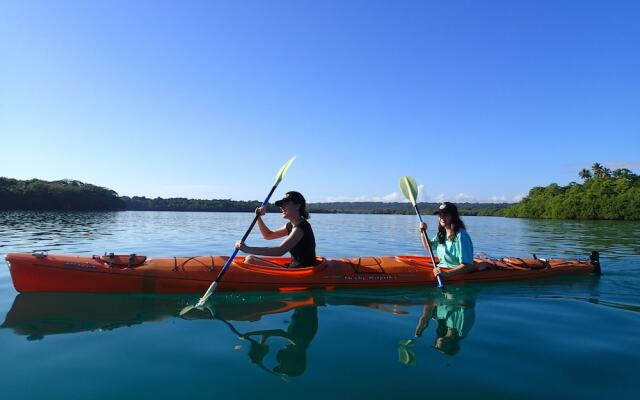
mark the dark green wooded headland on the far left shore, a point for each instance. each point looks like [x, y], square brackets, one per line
[64, 195]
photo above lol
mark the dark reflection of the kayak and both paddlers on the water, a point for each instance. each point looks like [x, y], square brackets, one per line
[280, 349]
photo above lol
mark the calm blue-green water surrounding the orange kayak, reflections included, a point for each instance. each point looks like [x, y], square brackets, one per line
[574, 337]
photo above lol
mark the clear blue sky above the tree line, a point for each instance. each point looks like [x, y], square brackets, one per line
[478, 100]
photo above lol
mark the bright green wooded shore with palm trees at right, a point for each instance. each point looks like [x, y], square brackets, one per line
[604, 194]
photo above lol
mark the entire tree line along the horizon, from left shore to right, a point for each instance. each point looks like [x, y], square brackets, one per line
[603, 194]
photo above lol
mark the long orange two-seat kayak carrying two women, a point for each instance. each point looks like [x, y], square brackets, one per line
[43, 272]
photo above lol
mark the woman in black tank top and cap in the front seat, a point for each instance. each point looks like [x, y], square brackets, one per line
[299, 240]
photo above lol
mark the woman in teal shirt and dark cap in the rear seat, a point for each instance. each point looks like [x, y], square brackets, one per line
[452, 244]
